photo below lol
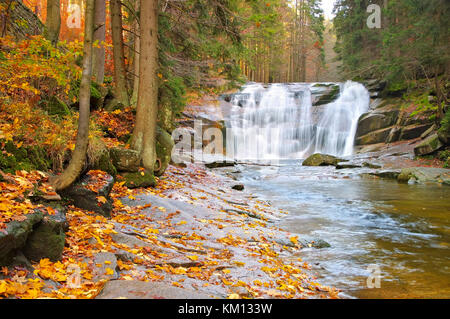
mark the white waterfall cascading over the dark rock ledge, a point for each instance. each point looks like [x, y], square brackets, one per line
[279, 122]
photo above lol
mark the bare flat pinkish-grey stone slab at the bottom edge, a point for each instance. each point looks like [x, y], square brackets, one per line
[147, 290]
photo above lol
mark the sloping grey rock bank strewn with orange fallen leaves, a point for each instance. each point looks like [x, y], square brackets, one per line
[192, 232]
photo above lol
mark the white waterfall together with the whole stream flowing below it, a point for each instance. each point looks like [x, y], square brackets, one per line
[401, 230]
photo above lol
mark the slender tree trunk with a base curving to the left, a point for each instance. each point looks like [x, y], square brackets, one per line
[78, 160]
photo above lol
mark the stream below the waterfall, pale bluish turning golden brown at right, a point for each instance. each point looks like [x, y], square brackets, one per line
[402, 229]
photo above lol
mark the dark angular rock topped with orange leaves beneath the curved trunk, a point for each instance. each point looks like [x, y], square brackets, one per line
[85, 193]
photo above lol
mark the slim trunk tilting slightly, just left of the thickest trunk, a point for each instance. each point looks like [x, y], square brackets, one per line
[118, 52]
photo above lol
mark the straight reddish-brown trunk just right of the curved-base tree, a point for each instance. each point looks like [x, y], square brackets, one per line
[99, 37]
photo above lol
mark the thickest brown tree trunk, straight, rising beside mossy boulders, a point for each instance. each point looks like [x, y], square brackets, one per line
[144, 135]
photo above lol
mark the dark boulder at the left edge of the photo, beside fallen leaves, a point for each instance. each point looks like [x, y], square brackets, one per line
[15, 236]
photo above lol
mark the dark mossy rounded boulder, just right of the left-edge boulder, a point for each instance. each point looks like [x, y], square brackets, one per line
[48, 237]
